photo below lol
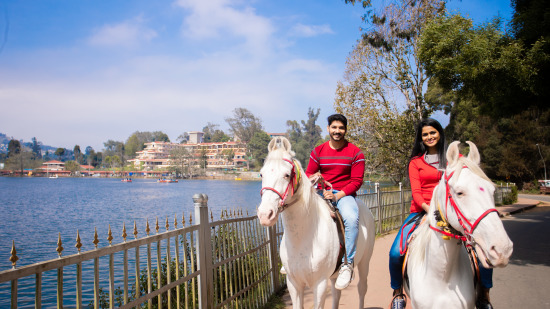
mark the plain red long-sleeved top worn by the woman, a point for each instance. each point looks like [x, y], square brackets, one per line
[424, 178]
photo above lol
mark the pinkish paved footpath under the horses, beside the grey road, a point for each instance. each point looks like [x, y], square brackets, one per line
[379, 290]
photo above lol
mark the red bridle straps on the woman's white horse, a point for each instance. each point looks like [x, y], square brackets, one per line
[467, 226]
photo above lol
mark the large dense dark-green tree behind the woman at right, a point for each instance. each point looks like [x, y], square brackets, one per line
[486, 73]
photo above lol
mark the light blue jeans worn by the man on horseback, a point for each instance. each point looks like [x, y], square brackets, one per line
[348, 208]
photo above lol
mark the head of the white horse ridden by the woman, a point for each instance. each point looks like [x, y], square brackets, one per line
[465, 199]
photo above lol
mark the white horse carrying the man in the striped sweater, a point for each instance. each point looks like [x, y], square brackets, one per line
[310, 246]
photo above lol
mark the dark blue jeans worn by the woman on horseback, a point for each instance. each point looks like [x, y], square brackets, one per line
[396, 261]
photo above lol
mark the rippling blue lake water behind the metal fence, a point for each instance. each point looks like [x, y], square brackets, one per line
[33, 211]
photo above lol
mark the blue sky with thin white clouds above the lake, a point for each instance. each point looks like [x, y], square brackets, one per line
[83, 72]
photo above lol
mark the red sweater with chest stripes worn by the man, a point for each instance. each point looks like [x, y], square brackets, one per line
[343, 168]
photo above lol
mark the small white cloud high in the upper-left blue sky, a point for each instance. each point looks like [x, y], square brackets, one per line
[129, 33]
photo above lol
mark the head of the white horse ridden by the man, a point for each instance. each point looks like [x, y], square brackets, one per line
[281, 176]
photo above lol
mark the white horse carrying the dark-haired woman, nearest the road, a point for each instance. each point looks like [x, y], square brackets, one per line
[439, 269]
